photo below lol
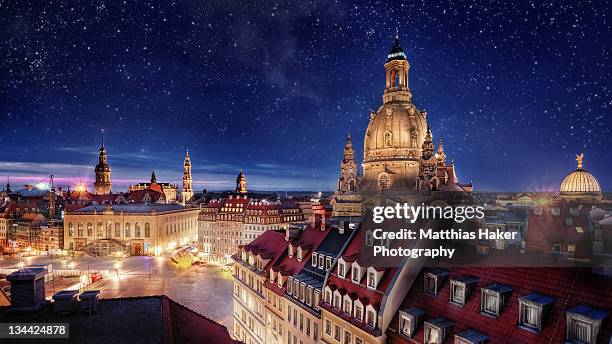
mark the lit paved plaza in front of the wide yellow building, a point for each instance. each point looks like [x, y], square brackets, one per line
[203, 289]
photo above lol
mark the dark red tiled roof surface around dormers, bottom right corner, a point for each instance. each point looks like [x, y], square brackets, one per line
[567, 286]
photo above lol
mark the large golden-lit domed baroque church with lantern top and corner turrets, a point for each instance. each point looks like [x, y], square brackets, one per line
[399, 153]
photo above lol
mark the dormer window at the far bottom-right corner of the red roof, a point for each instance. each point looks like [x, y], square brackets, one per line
[583, 324]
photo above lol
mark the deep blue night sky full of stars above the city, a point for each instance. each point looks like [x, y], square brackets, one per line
[514, 89]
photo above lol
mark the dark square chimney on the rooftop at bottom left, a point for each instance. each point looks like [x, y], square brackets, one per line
[27, 289]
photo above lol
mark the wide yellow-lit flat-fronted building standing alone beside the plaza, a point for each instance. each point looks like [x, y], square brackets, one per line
[134, 228]
